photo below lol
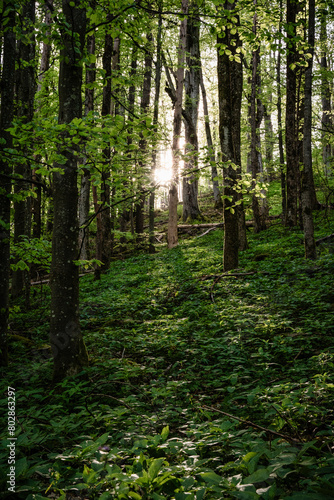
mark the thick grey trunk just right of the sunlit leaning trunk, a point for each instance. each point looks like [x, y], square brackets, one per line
[192, 83]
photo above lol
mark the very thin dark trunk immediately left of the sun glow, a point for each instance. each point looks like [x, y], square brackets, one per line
[158, 70]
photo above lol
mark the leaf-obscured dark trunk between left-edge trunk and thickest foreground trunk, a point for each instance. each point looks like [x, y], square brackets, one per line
[26, 95]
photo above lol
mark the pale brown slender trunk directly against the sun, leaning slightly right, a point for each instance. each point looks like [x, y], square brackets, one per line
[172, 236]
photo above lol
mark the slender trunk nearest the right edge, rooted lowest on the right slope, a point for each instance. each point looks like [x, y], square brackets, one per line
[307, 174]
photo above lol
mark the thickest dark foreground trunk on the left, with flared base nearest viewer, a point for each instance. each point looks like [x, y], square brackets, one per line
[68, 348]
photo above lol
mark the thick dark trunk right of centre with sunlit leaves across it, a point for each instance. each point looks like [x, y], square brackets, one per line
[230, 92]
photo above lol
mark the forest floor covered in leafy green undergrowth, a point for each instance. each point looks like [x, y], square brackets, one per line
[201, 385]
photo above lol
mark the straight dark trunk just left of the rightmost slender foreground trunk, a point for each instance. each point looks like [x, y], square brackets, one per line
[291, 130]
